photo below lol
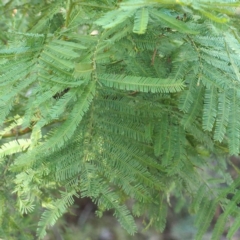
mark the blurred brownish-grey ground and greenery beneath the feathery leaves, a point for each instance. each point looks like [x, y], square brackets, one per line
[82, 224]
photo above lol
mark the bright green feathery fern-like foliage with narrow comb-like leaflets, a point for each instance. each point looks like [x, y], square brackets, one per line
[109, 100]
